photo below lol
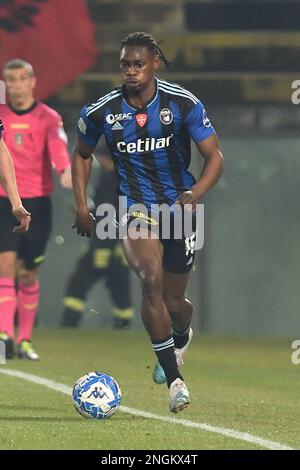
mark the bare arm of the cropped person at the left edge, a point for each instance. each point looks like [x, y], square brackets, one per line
[9, 183]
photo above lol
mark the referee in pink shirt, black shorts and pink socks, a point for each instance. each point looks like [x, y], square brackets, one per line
[34, 134]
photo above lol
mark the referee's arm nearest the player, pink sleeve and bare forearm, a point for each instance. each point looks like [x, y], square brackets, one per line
[57, 145]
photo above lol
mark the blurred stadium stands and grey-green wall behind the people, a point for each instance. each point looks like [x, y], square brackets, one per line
[240, 58]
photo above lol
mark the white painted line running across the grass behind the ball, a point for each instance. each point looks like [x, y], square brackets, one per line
[243, 436]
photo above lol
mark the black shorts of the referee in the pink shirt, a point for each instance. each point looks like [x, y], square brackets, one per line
[29, 246]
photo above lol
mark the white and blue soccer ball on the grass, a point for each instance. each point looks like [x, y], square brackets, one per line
[96, 395]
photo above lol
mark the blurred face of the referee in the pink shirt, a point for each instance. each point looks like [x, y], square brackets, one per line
[19, 85]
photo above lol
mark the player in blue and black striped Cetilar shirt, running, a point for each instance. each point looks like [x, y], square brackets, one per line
[148, 124]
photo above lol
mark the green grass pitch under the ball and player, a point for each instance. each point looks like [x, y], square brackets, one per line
[248, 385]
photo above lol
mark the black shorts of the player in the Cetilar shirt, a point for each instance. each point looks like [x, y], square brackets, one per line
[179, 253]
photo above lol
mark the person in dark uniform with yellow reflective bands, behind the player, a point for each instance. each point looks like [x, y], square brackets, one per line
[103, 259]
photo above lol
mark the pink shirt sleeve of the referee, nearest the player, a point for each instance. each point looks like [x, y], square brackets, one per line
[57, 144]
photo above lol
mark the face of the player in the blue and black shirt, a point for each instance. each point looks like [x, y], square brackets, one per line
[138, 67]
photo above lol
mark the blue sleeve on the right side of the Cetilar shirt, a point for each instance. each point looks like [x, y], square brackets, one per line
[198, 124]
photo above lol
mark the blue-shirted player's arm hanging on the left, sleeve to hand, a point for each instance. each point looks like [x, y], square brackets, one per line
[88, 136]
